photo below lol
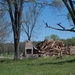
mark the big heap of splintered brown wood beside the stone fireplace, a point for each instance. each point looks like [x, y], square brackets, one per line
[51, 47]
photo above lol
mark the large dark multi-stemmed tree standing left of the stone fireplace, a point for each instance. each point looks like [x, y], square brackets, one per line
[14, 8]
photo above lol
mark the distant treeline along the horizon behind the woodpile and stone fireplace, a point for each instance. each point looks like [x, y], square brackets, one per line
[9, 47]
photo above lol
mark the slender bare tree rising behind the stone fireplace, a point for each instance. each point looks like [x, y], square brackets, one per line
[31, 19]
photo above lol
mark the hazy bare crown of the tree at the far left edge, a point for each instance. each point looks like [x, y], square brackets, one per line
[4, 30]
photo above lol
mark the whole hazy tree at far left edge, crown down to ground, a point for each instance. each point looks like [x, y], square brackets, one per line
[4, 32]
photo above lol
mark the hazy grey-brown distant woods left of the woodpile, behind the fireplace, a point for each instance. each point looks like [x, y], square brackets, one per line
[8, 48]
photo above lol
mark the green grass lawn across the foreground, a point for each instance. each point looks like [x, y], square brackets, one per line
[40, 66]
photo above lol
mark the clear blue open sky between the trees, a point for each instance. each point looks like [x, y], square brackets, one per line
[49, 15]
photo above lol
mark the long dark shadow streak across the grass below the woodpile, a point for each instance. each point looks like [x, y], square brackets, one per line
[58, 63]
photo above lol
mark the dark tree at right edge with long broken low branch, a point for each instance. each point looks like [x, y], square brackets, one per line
[70, 5]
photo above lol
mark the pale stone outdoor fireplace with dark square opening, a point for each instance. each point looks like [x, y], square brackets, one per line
[28, 49]
